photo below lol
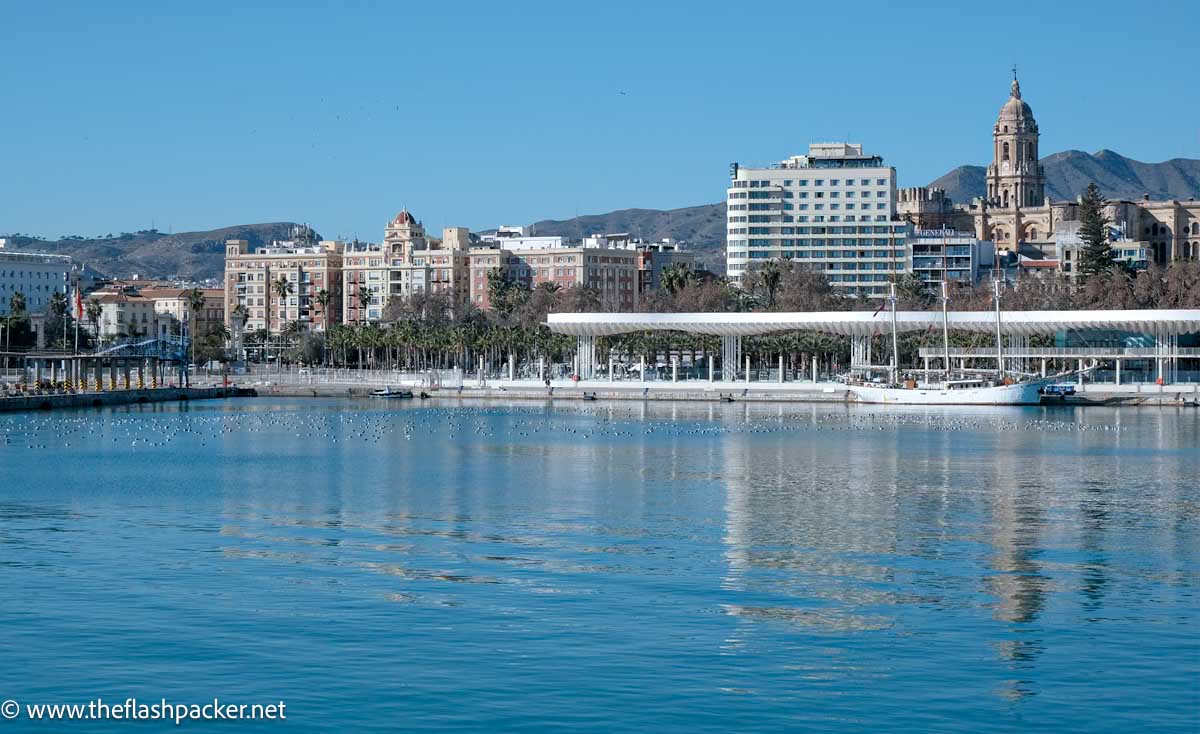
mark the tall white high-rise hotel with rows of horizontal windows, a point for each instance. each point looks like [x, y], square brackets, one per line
[832, 210]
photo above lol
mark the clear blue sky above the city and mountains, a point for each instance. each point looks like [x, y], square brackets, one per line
[194, 116]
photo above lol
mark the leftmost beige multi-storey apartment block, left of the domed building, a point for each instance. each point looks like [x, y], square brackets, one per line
[310, 267]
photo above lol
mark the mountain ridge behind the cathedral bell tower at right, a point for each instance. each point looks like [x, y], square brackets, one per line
[1069, 175]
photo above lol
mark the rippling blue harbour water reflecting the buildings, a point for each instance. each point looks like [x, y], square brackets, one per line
[608, 567]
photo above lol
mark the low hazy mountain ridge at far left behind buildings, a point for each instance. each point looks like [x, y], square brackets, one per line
[189, 256]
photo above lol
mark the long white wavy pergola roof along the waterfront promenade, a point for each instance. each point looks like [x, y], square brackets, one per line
[865, 323]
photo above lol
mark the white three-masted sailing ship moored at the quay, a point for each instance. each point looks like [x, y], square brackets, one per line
[963, 390]
